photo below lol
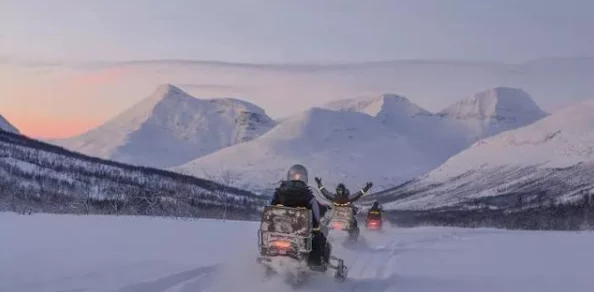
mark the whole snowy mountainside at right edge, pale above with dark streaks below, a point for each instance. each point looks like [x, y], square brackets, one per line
[551, 159]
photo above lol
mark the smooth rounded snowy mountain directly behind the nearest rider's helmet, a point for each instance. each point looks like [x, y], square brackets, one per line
[339, 146]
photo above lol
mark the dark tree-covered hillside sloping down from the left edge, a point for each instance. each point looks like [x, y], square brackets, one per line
[40, 177]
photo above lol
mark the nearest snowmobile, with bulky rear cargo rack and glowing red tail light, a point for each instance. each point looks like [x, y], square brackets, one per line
[285, 242]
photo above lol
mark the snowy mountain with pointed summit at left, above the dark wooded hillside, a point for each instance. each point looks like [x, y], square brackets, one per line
[171, 128]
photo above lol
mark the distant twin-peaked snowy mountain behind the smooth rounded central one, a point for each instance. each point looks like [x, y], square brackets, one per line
[452, 130]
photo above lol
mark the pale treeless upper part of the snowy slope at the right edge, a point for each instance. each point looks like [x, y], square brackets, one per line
[560, 140]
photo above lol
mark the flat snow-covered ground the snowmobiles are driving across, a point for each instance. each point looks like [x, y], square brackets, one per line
[65, 253]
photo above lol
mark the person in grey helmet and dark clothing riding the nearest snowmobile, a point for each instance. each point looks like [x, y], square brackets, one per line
[294, 192]
